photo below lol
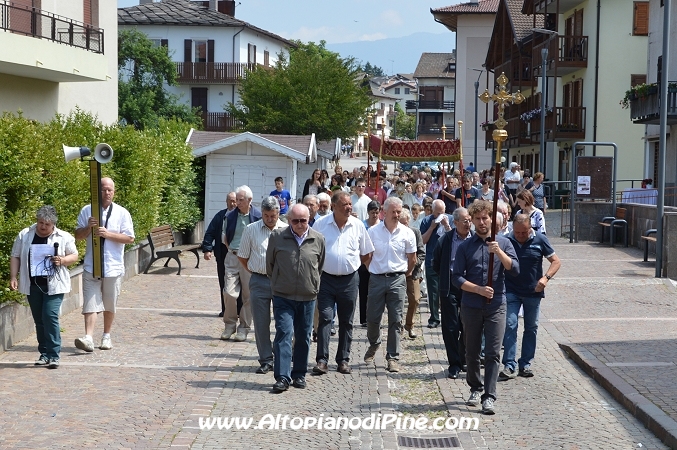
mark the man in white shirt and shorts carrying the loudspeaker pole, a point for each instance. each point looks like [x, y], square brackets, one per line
[101, 294]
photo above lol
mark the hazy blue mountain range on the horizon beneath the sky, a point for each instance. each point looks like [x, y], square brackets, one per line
[396, 55]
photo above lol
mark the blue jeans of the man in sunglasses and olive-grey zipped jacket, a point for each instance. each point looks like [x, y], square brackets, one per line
[293, 319]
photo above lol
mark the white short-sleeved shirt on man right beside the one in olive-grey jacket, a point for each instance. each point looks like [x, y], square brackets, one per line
[343, 247]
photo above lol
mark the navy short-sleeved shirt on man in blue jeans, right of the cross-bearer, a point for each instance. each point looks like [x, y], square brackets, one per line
[530, 255]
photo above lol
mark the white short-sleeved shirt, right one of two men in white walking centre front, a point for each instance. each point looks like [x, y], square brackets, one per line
[391, 249]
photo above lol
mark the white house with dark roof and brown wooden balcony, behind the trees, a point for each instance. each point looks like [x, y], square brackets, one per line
[210, 47]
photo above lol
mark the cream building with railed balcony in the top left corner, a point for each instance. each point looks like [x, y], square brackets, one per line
[59, 54]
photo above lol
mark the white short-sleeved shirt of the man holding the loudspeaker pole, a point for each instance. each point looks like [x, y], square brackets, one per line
[118, 221]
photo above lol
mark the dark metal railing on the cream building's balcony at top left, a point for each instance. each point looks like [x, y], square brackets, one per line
[45, 25]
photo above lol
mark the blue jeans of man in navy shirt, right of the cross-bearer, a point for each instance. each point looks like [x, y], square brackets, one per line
[531, 311]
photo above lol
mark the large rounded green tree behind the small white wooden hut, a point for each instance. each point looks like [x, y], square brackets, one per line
[312, 91]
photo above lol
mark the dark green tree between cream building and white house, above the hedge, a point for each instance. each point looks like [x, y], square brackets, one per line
[143, 68]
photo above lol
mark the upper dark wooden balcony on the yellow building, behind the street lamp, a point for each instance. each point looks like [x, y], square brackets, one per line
[571, 55]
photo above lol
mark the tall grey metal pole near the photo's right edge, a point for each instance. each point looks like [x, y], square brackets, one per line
[660, 201]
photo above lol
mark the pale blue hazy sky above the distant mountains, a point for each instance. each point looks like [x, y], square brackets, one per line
[338, 21]
